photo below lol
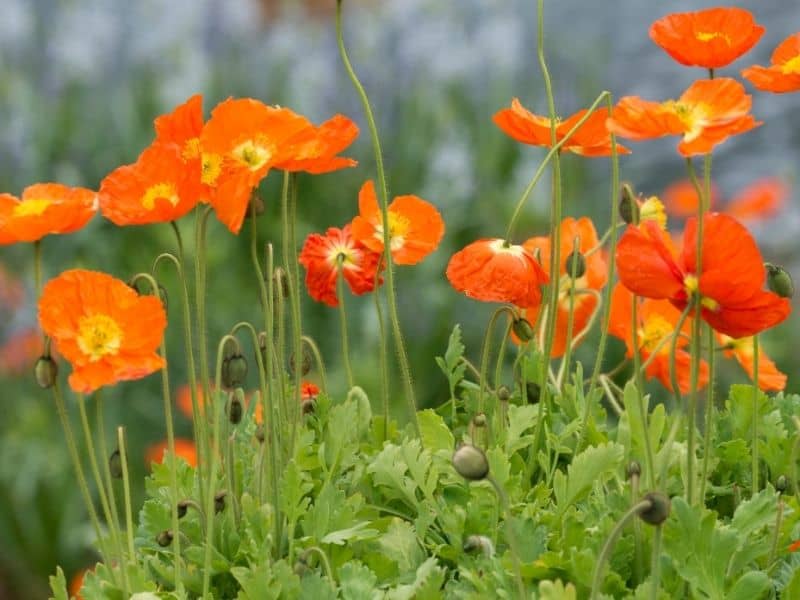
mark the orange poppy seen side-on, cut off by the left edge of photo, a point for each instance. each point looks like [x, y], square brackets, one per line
[45, 208]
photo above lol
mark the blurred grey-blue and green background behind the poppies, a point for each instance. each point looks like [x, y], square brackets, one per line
[82, 80]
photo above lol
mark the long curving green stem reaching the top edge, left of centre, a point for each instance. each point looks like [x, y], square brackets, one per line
[391, 295]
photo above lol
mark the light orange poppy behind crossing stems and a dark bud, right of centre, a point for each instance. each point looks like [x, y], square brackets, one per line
[584, 304]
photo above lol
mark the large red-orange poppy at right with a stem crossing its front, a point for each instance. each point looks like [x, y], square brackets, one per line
[730, 284]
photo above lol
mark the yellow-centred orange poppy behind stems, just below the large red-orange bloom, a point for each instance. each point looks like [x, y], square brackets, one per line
[657, 320]
